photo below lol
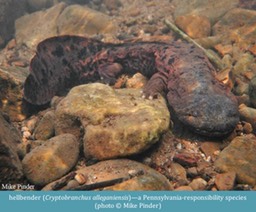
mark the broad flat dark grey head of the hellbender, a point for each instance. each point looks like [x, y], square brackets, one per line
[214, 115]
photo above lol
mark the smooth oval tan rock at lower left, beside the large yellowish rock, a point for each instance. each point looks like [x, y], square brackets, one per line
[53, 159]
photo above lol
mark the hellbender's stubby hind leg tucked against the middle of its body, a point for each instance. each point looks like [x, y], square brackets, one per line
[109, 72]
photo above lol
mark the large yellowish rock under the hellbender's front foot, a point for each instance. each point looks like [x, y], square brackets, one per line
[117, 123]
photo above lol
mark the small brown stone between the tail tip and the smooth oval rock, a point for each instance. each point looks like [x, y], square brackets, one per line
[45, 127]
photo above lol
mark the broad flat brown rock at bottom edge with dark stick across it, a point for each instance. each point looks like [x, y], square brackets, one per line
[145, 179]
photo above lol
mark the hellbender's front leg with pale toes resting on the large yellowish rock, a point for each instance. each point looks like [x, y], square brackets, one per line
[156, 85]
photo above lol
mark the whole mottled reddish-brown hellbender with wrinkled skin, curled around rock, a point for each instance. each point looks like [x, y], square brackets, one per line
[178, 70]
